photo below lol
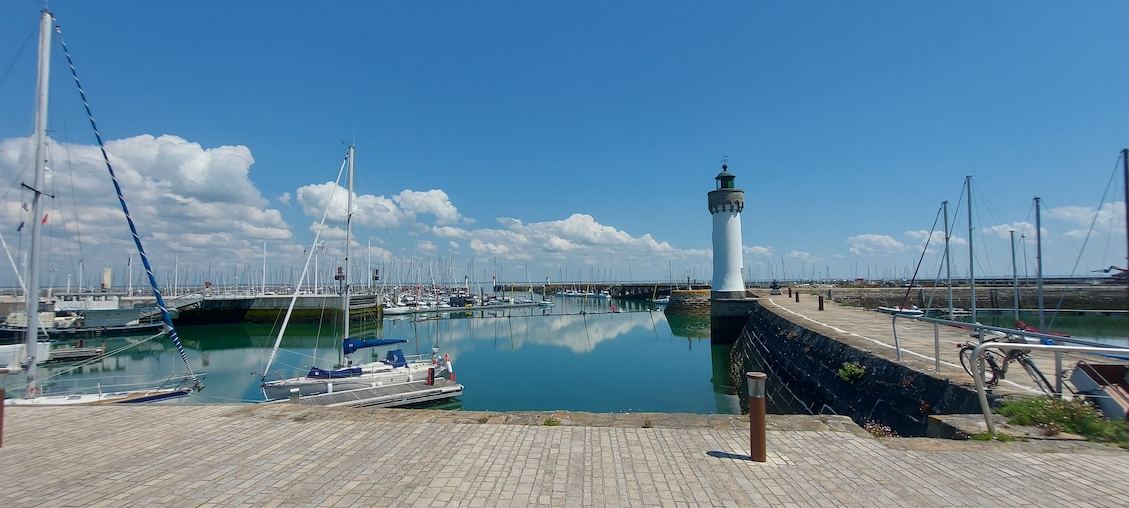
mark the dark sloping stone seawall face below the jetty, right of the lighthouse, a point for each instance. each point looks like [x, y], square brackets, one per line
[806, 366]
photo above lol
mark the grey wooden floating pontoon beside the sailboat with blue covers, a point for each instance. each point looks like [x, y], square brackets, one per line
[395, 396]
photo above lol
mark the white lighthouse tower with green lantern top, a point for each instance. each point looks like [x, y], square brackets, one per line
[725, 205]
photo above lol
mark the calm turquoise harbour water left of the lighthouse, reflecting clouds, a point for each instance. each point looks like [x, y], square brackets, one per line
[521, 360]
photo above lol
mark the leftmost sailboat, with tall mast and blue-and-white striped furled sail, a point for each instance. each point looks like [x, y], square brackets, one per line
[172, 389]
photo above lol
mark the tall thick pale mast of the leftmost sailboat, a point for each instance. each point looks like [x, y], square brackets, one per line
[41, 165]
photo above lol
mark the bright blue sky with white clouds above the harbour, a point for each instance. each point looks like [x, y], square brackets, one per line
[576, 141]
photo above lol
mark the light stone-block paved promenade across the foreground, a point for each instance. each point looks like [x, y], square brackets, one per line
[290, 456]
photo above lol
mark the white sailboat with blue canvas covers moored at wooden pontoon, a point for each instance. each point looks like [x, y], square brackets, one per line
[395, 369]
